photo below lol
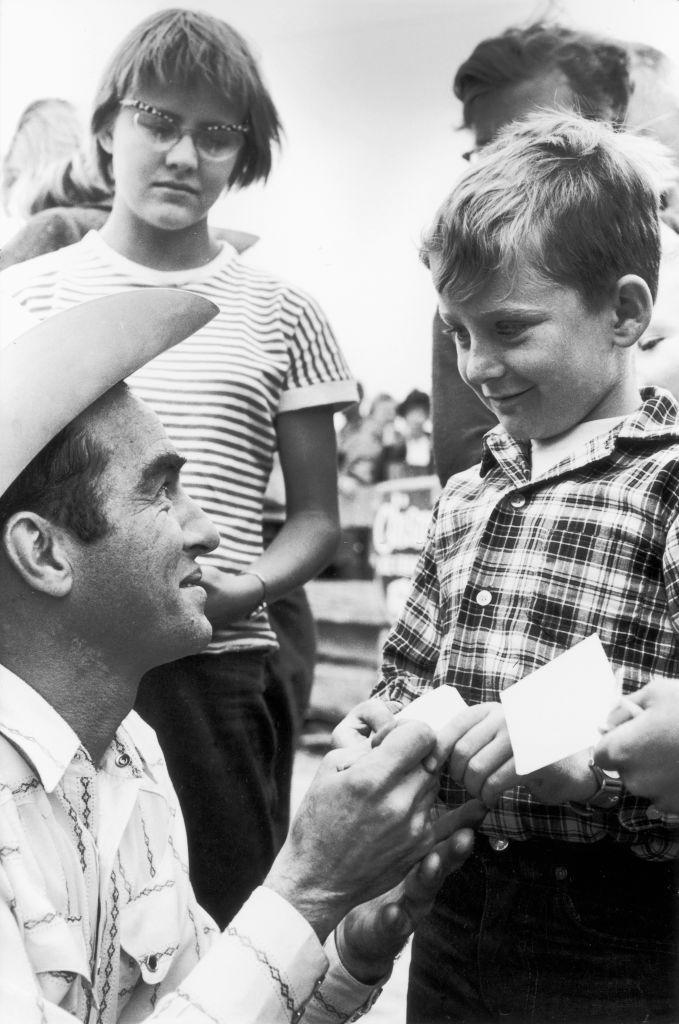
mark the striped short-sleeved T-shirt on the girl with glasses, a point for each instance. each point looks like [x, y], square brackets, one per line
[270, 351]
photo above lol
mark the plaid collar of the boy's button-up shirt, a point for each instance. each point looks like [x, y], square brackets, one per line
[656, 421]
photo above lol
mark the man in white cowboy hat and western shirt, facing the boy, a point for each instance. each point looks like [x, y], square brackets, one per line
[100, 582]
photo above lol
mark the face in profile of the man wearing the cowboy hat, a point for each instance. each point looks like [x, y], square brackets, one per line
[138, 590]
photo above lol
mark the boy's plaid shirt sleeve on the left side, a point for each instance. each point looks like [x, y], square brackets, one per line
[412, 650]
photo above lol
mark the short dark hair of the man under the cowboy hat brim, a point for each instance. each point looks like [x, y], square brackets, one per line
[63, 484]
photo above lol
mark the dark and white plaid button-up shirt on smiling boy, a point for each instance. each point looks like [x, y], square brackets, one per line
[515, 572]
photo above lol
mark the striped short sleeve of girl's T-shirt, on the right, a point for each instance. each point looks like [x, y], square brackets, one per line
[318, 374]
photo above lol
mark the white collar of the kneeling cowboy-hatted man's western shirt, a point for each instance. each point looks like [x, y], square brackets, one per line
[50, 745]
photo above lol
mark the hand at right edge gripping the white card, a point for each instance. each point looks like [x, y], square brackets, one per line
[645, 749]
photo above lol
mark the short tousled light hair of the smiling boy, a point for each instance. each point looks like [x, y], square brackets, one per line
[577, 200]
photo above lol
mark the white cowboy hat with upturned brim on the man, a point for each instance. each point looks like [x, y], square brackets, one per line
[57, 368]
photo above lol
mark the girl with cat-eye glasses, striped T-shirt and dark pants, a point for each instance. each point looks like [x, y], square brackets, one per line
[181, 115]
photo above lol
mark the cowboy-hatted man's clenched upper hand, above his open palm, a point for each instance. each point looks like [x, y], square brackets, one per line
[360, 829]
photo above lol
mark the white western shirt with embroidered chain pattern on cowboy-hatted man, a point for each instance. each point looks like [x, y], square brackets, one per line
[99, 922]
